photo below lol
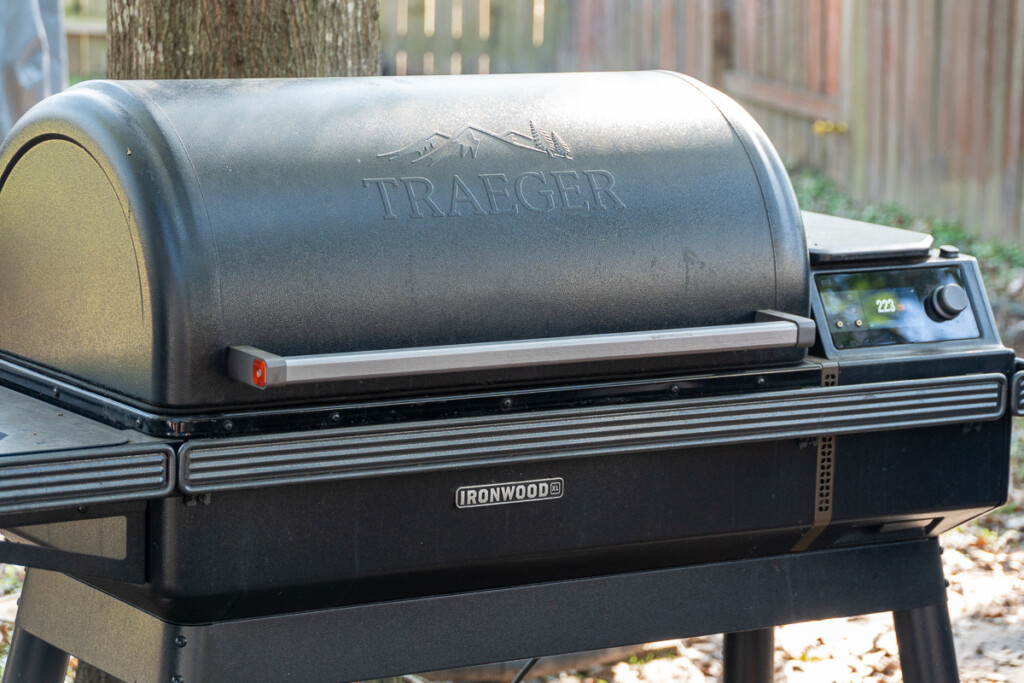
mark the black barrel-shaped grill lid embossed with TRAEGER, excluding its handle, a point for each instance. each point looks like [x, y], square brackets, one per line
[148, 227]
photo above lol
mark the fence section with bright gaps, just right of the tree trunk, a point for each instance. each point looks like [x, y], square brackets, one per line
[510, 36]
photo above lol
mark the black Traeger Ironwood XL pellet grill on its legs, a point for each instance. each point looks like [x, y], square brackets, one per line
[352, 378]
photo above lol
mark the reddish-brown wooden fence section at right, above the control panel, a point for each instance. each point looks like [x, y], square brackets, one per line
[926, 107]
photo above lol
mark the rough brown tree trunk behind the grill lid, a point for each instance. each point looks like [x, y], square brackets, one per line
[158, 39]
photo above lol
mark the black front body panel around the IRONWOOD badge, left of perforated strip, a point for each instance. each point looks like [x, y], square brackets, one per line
[387, 538]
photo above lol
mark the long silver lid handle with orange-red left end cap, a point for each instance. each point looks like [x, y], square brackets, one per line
[771, 330]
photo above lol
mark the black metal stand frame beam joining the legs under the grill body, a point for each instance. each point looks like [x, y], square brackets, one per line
[480, 627]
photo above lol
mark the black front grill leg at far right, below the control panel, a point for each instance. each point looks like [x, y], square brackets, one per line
[926, 646]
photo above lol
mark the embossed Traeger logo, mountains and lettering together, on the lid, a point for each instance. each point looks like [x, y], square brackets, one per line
[492, 194]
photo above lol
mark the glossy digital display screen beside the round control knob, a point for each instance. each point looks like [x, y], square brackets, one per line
[880, 308]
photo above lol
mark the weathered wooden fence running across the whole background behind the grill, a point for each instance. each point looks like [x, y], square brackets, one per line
[921, 102]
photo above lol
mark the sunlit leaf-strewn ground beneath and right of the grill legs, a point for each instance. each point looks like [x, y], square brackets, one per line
[985, 563]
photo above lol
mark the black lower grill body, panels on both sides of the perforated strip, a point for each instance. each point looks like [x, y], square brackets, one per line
[386, 538]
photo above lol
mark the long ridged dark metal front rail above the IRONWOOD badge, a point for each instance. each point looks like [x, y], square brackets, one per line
[223, 464]
